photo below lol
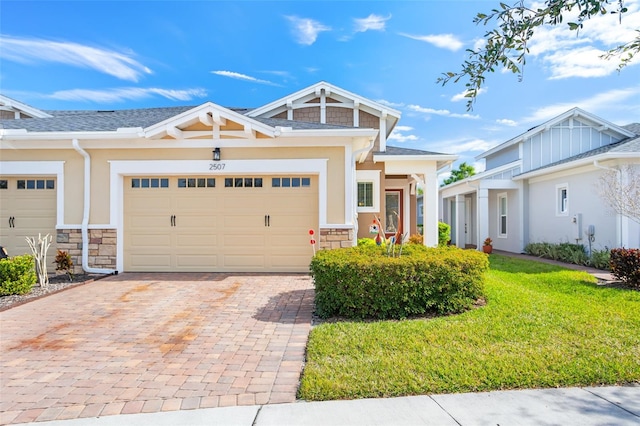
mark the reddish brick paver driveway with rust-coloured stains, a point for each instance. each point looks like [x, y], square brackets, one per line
[154, 342]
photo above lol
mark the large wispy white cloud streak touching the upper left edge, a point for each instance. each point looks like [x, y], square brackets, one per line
[33, 50]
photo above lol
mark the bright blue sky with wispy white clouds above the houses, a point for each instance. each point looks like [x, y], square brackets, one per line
[122, 54]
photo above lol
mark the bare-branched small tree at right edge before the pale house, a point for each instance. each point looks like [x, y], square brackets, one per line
[620, 188]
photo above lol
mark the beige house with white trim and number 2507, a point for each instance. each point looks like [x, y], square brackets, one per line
[209, 188]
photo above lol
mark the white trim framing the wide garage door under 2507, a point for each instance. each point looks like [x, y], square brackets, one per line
[120, 169]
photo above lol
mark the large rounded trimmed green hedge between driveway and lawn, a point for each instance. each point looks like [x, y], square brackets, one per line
[362, 282]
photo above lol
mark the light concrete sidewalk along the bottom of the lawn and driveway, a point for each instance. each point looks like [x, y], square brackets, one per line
[617, 405]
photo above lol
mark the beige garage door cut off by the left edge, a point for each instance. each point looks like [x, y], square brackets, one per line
[27, 207]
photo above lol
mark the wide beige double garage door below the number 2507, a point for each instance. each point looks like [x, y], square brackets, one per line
[228, 224]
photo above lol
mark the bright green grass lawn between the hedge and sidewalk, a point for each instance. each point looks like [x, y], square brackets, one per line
[542, 326]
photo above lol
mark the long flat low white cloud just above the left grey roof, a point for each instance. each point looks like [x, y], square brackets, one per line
[126, 94]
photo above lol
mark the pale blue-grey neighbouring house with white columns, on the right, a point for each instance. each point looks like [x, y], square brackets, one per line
[541, 187]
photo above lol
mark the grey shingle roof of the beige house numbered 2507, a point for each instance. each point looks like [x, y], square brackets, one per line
[103, 121]
